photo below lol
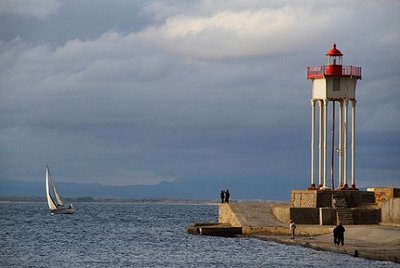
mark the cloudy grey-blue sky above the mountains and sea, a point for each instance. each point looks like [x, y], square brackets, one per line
[143, 92]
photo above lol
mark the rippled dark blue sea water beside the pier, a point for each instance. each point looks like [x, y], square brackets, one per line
[142, 235]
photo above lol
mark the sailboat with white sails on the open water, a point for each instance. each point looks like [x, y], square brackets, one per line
[54, 201]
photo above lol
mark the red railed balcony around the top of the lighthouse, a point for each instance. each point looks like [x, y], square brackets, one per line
[318, 72]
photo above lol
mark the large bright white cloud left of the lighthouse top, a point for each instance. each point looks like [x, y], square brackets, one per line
[239, 33]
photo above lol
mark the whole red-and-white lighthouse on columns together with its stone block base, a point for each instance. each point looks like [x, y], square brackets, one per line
[327, 203]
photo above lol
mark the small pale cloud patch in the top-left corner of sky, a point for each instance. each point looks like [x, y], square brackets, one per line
[40, 9]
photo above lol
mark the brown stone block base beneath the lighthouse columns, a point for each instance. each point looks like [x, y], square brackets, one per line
[329, 207]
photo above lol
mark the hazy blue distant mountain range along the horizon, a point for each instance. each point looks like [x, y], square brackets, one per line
[185, 190]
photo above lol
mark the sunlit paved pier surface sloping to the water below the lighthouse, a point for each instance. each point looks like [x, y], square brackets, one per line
[369, 241]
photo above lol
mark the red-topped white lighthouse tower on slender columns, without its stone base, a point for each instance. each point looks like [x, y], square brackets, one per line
[333, 83]
